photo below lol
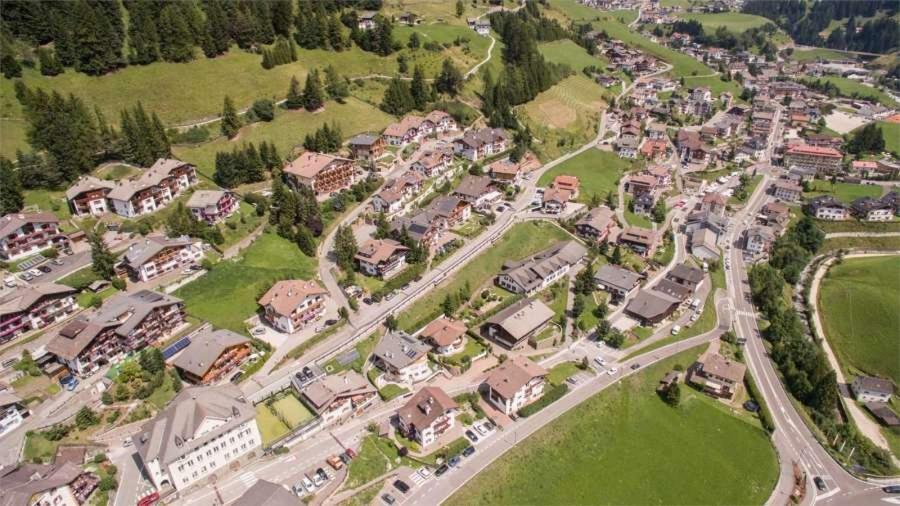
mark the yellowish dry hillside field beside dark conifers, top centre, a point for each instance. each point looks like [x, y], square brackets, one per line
[565, 117]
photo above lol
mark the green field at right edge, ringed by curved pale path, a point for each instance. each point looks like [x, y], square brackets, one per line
[858, 302]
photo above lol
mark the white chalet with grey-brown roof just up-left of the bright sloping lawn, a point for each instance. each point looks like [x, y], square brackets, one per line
[158, 255]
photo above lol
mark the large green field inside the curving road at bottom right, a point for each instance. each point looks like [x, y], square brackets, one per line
[626, 446]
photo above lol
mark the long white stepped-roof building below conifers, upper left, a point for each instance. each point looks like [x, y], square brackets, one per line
[153, 189]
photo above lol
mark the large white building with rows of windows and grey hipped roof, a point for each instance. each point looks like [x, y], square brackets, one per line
[201, 432]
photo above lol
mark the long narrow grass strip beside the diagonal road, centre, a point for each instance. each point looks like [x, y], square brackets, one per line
[521, 240]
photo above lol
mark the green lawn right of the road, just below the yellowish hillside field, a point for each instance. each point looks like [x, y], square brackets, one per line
[598, 171]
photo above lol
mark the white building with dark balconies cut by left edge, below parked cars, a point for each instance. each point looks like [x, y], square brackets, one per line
[34, 307]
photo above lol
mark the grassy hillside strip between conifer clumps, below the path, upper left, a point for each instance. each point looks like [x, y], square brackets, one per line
[287, 131]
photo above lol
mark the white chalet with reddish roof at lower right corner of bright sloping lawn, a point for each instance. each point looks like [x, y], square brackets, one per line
[291, 305]
